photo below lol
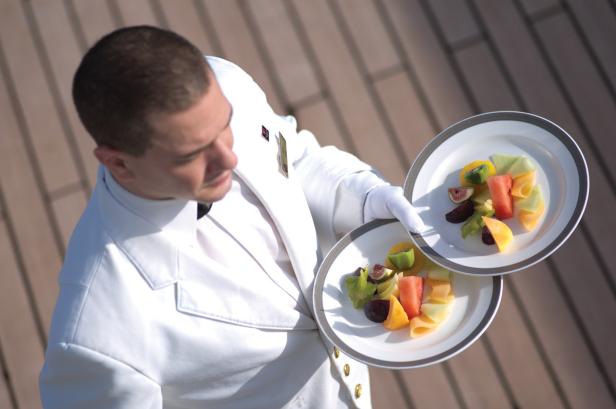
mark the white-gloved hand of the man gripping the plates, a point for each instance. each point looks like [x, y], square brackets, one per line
[386, 202]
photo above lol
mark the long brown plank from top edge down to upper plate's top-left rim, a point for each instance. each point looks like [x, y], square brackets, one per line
[423, 53]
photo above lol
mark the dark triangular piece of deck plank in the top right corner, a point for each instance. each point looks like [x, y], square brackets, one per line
[597, 21]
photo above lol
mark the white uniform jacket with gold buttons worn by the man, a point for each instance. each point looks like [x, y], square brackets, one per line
[145, 321]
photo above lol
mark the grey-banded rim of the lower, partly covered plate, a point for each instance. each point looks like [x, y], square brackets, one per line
[330, 334]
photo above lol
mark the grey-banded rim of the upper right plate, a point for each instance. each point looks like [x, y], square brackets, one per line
[554, 130]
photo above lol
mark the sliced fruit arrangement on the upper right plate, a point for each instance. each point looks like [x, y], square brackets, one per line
[494, 190]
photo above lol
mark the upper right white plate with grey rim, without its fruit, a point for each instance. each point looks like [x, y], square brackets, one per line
[561, 172]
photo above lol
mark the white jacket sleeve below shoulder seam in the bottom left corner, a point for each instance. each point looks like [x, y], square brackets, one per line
[76, 377]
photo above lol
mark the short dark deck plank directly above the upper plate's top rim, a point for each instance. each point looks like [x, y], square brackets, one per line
[485, 79]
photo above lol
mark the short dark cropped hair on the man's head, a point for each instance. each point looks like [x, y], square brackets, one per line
[130, 75]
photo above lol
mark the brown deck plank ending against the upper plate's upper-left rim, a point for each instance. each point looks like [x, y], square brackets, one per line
[406, 113]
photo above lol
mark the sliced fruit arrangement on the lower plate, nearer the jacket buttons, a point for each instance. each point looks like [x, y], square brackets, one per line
[406, 290]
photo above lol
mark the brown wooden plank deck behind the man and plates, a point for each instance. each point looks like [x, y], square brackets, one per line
[378, 78]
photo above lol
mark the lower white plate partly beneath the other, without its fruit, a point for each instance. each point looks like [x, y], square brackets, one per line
[476, 302]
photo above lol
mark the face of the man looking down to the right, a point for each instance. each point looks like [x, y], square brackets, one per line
[191, 153]
